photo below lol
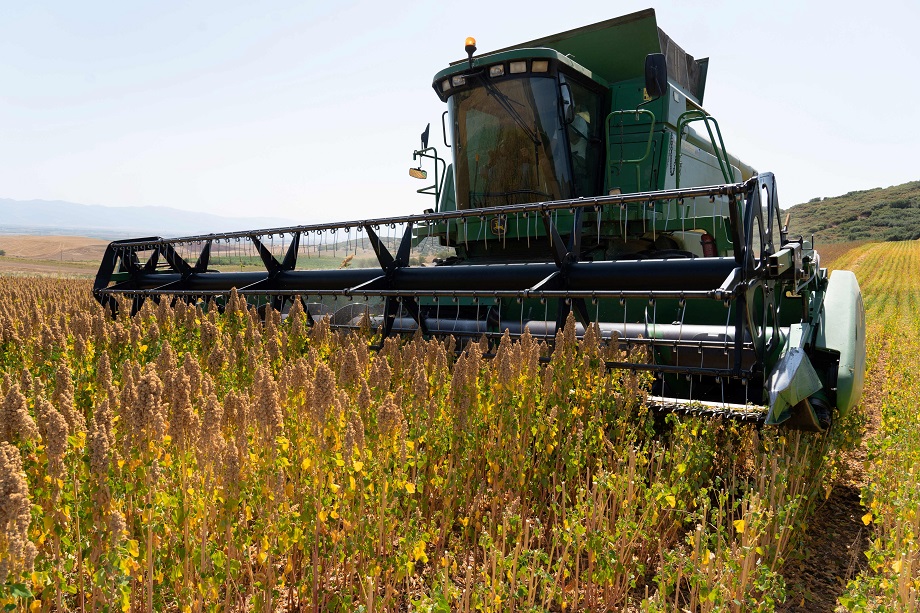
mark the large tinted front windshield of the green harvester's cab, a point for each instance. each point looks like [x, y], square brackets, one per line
[510, 145]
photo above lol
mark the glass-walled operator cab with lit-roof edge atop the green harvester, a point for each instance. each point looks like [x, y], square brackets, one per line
[526, 126]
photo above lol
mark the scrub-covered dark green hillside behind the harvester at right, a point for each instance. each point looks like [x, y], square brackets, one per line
[881, 214]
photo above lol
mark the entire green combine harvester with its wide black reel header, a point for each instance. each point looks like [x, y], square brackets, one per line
[585, 179]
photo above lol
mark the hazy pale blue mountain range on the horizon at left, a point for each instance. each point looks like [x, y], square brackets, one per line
[70, 218]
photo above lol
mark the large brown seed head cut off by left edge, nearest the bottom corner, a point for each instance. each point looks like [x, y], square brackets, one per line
[18, 554]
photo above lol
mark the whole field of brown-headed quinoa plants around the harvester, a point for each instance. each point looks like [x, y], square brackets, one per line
[190, 460]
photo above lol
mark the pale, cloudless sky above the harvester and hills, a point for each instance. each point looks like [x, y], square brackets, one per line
[311, 111]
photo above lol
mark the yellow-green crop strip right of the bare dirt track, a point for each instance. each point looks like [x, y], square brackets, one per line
[891, 495]
